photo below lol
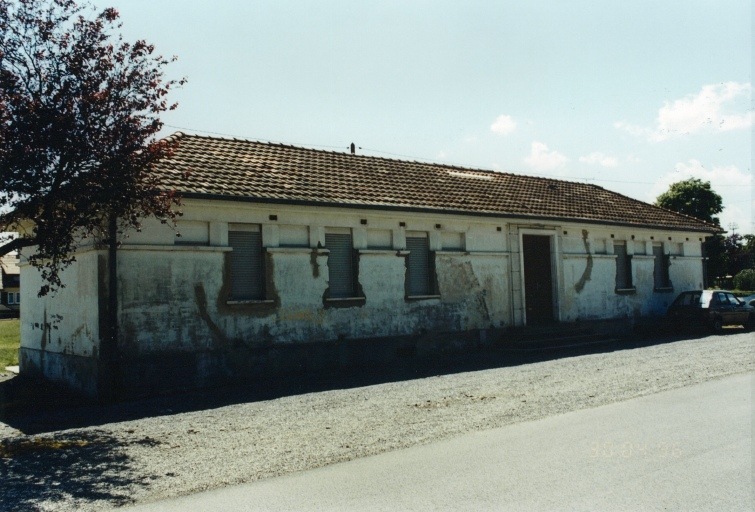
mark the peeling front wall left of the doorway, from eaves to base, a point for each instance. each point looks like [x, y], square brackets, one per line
[159, 309]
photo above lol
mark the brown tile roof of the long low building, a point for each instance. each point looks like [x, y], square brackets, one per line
[232, 169]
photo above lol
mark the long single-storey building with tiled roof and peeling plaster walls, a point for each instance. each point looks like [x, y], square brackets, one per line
[289, 258]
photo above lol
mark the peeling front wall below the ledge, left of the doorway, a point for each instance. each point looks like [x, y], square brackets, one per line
[159, 309]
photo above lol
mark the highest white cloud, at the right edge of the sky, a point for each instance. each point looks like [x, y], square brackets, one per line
[708, 110]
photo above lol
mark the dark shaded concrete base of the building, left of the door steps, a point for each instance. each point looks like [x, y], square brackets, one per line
[155, 373]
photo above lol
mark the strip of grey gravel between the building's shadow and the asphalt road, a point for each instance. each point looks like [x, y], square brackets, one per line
[147, 459]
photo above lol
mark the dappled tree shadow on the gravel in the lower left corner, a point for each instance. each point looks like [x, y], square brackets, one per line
[73, 467]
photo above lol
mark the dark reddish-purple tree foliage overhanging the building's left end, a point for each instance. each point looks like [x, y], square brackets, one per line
[79, 111]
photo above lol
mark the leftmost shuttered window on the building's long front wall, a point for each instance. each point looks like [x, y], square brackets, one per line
[247, 265]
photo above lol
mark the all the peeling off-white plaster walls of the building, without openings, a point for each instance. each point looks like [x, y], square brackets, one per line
[177, 326]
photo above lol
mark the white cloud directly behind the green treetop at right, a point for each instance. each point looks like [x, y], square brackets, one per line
[733, 185]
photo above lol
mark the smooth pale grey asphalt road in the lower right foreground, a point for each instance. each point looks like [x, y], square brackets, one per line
[687, 449]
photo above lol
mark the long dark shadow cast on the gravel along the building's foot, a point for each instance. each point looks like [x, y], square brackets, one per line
[34, 407]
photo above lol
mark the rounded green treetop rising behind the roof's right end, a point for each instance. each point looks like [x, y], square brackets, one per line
[692, 197]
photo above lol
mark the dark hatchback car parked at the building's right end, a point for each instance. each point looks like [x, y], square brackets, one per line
[711, 308]
